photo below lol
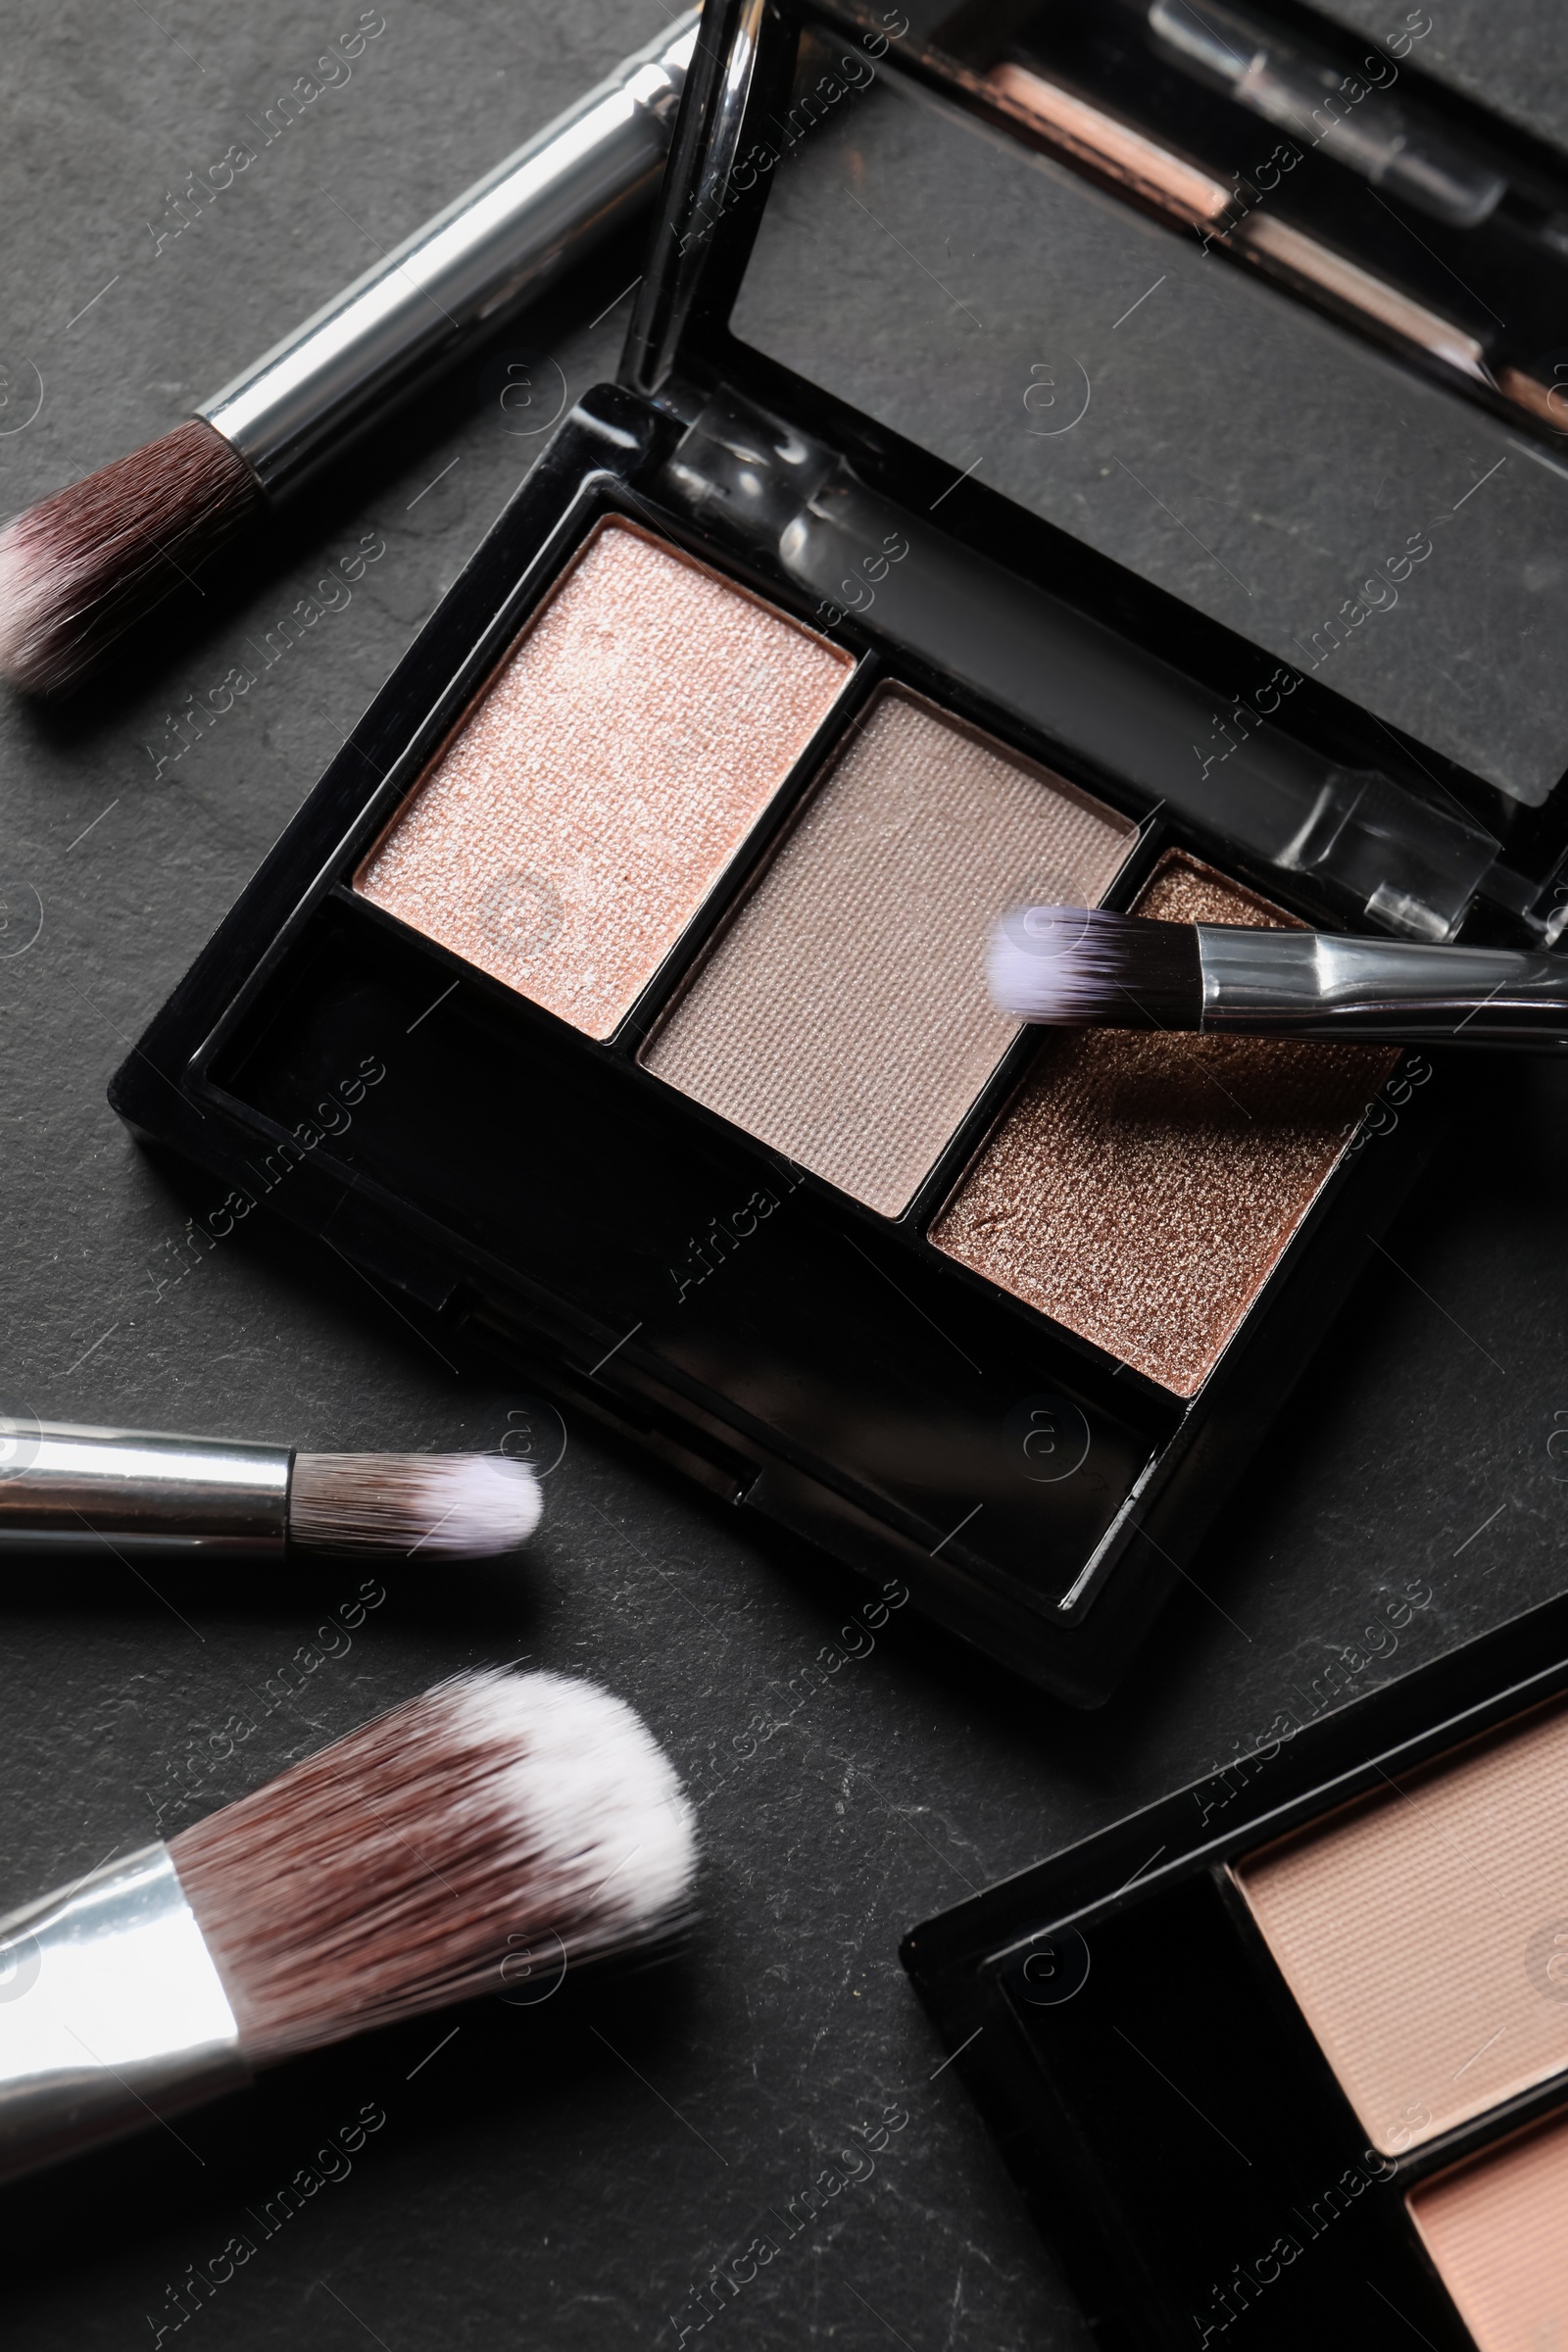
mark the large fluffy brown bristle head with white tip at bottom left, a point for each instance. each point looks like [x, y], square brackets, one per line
[497, 1817]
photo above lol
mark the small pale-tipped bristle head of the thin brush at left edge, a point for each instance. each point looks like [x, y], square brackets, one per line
[460, 1504]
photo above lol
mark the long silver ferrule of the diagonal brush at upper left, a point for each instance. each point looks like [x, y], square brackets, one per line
[460, 276]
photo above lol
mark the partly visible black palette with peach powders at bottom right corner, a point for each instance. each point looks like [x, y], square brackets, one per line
[1336, 2106]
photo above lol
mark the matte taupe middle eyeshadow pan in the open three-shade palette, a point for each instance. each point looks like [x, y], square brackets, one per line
[845, 1017]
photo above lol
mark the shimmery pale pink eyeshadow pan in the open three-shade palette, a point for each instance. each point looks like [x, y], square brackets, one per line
[608, 775]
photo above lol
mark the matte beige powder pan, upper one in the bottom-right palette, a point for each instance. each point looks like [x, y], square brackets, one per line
[1426, 1935]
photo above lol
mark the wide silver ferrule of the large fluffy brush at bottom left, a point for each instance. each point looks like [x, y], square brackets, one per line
[112, 2014]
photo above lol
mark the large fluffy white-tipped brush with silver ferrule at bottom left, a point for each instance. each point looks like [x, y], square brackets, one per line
[492, 1822]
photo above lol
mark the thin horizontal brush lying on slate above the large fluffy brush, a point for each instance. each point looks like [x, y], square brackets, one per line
[67, 1488]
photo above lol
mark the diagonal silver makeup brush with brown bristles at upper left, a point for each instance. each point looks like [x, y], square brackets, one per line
[95, 556]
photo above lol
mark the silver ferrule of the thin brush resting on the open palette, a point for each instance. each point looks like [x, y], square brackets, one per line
[1400, 989]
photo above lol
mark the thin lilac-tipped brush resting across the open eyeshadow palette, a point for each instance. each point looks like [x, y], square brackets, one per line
[1080, 968]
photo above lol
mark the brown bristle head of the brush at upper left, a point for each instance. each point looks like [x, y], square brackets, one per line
[86, 563]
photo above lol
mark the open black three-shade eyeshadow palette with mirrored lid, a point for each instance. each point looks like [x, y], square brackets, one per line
[655, 886]
